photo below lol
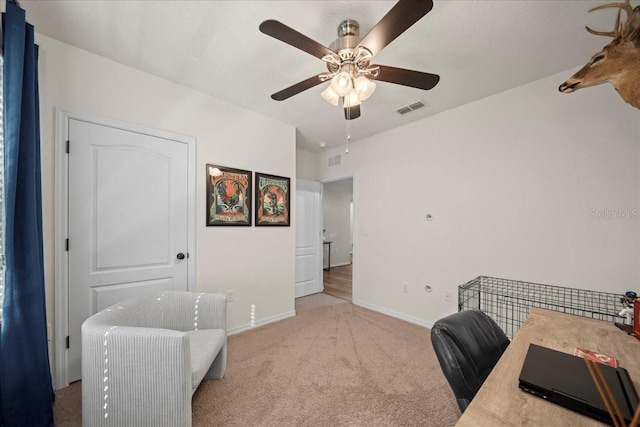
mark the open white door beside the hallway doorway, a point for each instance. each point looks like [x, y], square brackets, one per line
[308, 243]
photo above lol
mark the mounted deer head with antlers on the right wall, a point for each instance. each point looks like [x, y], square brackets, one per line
[618, 62]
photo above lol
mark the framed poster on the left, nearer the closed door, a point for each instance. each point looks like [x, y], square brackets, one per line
[228, 196]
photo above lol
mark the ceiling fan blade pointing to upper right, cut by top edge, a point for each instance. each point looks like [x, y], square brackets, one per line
[403, 15]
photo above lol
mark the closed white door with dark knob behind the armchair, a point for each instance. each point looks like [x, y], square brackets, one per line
[128, 221]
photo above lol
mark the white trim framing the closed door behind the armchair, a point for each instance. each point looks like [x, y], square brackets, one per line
[61, 226]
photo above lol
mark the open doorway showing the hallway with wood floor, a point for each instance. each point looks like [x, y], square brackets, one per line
[338, 219]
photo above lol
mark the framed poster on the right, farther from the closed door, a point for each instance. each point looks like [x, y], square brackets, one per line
[272, 195]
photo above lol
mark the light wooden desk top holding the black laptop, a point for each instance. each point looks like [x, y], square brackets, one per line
[501, 403]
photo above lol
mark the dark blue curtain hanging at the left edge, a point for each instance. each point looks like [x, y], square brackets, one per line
[26, 392]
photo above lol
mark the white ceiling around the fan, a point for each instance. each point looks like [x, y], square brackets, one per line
[478, 47]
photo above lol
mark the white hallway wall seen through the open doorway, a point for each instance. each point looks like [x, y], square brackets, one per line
[336, 219]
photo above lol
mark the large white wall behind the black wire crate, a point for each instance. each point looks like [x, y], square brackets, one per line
[514, 182]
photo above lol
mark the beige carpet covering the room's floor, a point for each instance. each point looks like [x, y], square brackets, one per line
[334, 364]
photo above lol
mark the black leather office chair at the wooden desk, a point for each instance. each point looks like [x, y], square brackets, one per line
[468, 345]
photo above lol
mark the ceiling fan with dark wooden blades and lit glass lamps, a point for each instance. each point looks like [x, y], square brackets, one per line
[348, 58]
